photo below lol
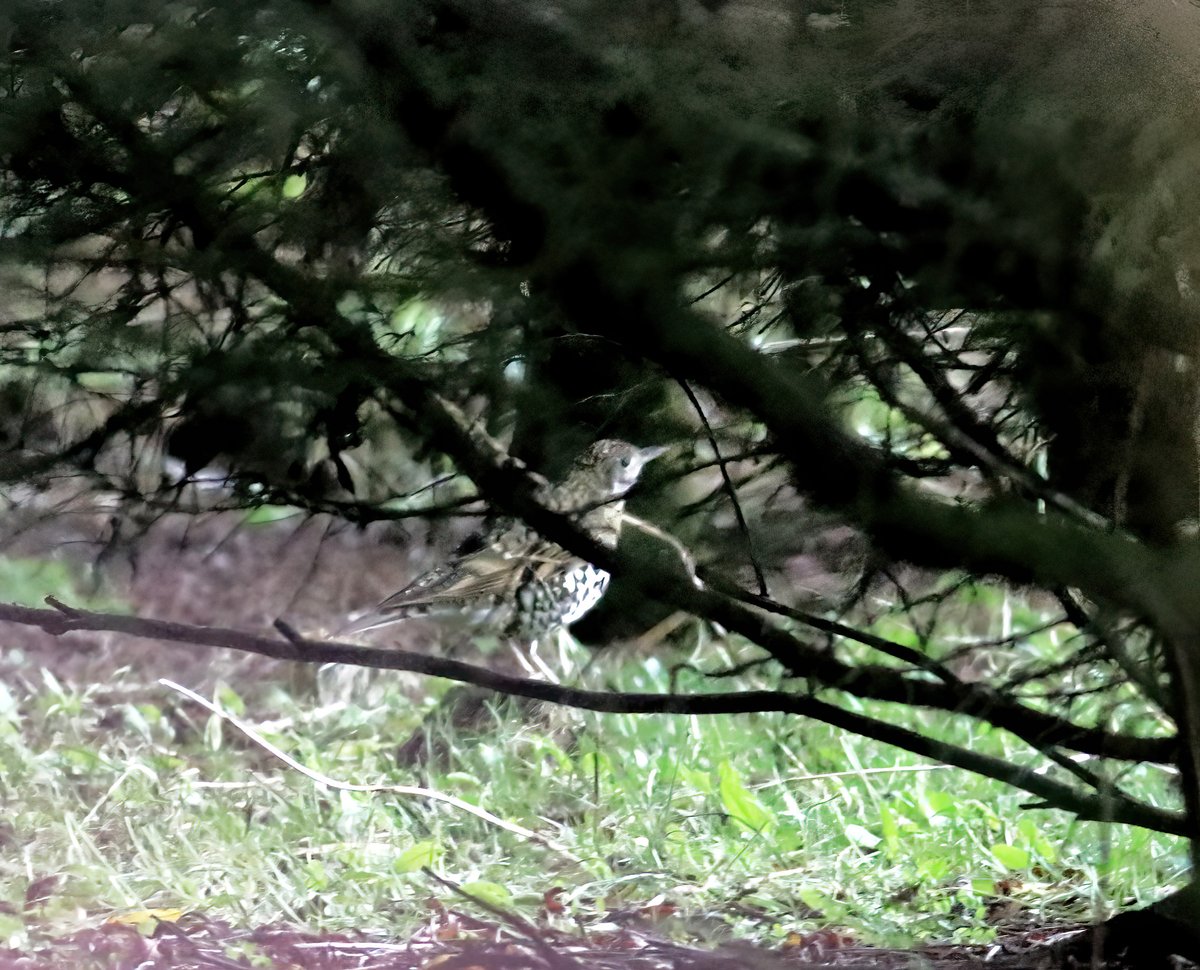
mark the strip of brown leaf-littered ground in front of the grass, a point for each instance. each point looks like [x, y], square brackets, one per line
[458, 942]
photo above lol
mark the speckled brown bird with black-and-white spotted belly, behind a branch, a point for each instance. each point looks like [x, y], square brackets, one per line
[513, 582]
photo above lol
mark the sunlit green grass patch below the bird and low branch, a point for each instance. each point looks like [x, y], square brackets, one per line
[125, 797]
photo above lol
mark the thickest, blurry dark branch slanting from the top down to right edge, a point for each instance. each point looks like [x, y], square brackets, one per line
[639, 304]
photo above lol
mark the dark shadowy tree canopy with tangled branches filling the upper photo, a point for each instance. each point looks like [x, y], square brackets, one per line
[909, 279]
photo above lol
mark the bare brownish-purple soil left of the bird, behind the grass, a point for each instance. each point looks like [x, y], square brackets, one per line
[215, 571]
